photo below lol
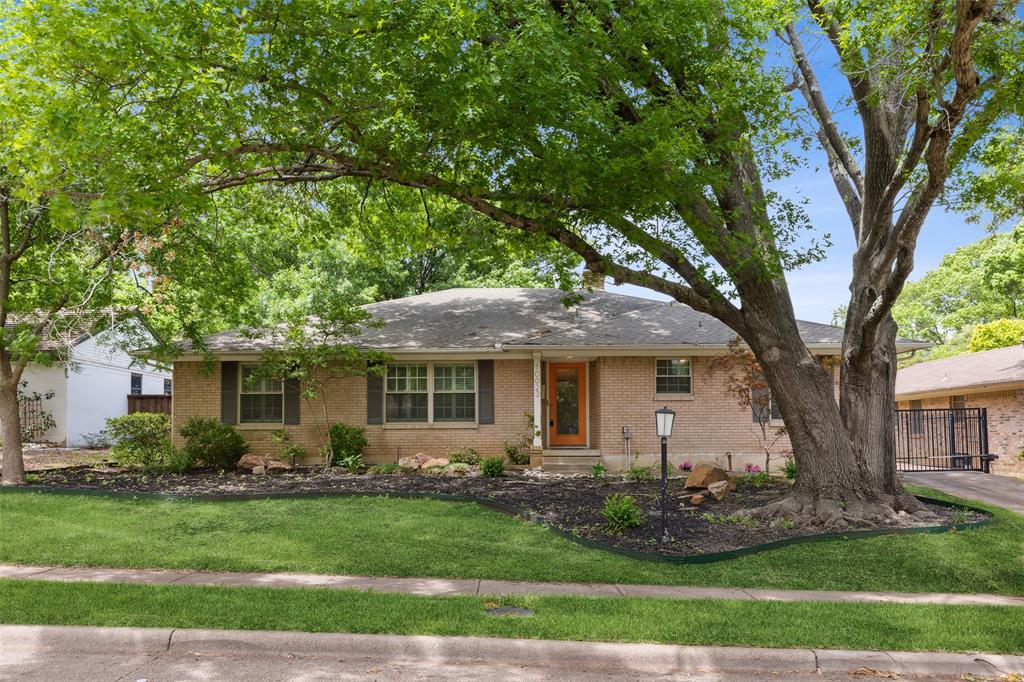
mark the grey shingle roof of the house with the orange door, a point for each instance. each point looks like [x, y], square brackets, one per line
[468, 319]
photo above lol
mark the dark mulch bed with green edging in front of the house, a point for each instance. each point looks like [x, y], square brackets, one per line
[573, 504]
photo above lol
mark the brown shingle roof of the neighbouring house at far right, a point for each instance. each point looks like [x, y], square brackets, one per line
[973, 370]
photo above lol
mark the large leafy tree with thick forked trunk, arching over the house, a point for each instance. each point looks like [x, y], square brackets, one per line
[645, 137]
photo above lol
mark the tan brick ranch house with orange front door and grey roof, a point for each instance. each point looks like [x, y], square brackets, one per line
[482, 367]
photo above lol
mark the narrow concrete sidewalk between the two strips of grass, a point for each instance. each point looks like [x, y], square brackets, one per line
[441, 587]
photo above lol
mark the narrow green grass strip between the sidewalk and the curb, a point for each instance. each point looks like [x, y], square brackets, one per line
[704, 622]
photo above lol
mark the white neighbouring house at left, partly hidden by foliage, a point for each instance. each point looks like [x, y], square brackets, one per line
[93, 386]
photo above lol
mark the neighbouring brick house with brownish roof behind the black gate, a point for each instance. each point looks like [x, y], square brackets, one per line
[991, 379]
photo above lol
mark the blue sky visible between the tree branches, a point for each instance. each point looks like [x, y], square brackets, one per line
[821, 288]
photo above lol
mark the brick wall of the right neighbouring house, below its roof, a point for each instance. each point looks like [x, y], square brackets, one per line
[1006, 424]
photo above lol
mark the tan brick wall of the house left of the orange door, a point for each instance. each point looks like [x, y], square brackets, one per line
[197, 393]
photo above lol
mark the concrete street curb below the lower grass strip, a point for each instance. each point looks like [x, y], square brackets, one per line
[525, 654]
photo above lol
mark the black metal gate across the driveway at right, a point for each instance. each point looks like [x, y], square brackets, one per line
[943, 440]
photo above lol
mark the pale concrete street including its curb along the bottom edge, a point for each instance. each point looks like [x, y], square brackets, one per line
[33, 653]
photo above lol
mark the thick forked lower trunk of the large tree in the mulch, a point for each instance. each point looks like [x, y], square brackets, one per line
[844, 451]
